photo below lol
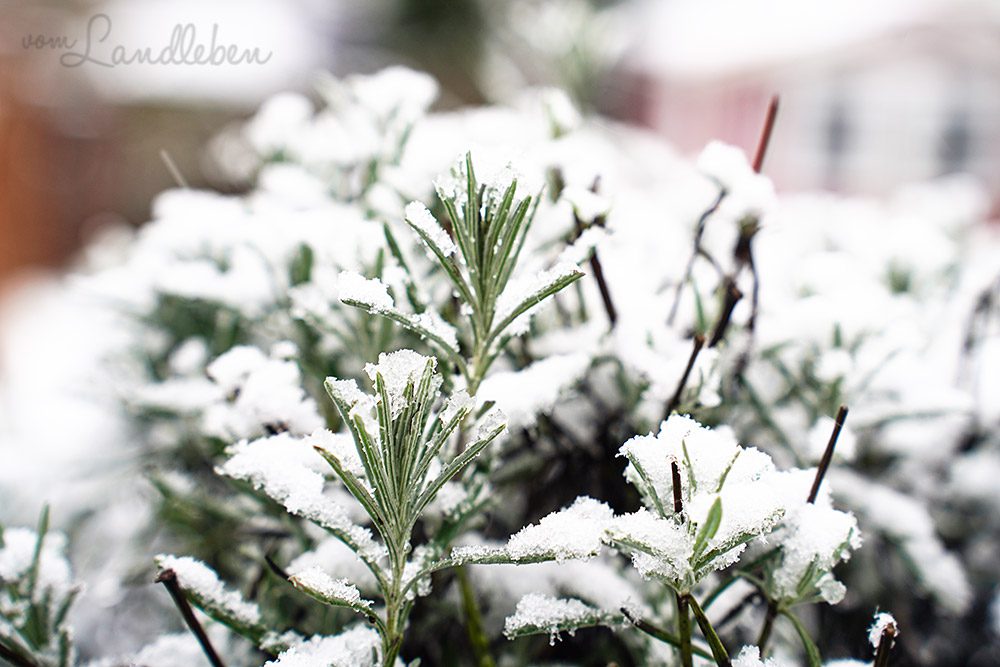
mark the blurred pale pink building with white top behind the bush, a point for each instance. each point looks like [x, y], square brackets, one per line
[873, 94]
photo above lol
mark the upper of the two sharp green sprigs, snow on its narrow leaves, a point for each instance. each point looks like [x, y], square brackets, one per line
[489, 222]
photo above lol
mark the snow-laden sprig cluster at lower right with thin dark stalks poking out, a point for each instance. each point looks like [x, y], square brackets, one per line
[706, 500]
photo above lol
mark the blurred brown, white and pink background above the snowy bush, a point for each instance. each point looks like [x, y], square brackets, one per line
[872, 94]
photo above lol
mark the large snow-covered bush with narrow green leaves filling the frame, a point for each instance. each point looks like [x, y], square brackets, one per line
[439, 381]
